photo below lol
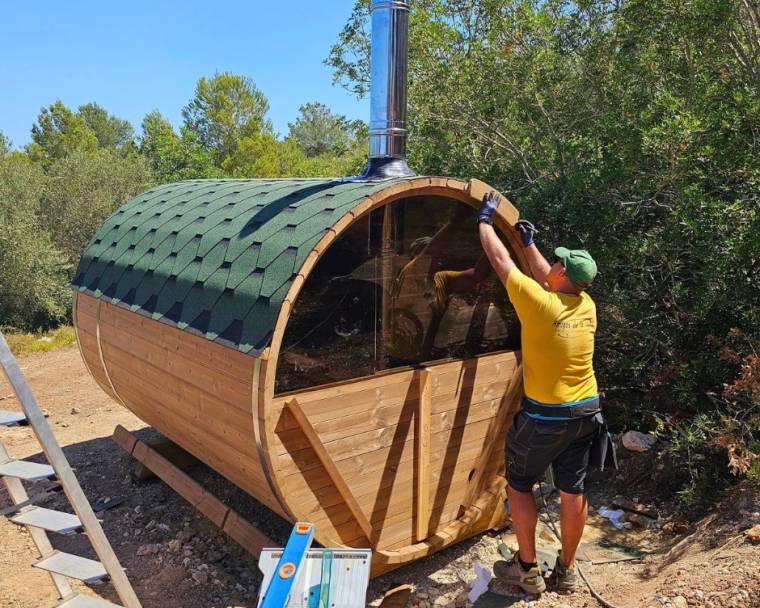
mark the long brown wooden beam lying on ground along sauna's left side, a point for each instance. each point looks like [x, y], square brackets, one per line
[229, 521]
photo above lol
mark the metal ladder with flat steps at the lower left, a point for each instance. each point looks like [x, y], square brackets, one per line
[39, 521]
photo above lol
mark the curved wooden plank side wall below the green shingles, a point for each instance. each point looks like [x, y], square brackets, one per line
[195, 392]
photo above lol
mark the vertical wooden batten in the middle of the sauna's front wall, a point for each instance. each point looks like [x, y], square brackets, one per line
[422, 453]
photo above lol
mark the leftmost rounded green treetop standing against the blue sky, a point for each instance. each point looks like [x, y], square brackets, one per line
[59, 132]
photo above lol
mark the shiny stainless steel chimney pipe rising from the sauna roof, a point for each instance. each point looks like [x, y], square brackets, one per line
[388, 63]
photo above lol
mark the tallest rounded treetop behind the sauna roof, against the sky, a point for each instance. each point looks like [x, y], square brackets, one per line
[226, 109]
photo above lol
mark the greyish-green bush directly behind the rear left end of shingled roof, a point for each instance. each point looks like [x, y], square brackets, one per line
[82, 190]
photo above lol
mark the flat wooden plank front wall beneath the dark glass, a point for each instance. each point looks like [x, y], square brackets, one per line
[368, 429]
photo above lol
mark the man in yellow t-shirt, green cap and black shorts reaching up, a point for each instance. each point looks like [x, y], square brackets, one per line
[560, 418]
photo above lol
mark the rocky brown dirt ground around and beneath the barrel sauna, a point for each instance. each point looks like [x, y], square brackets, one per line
[176, 559]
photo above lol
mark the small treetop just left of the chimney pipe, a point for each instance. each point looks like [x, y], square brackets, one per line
[318, 131]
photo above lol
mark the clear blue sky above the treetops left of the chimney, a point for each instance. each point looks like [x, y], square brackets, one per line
[135, 56]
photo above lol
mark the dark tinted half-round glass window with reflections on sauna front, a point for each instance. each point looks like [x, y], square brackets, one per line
[405, 285]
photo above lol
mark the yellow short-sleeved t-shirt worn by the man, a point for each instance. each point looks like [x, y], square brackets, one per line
[557, 341]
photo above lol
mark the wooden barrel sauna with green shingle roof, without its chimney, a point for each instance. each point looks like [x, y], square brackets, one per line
[336, 348]
